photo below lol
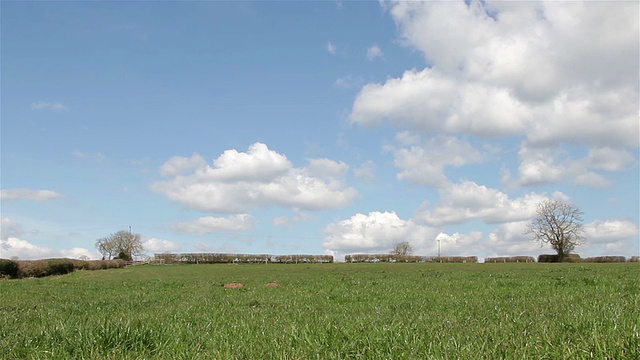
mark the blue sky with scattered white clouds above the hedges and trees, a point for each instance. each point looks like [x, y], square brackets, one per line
[317, 127]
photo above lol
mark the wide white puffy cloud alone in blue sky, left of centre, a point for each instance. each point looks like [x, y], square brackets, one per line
[260, 177]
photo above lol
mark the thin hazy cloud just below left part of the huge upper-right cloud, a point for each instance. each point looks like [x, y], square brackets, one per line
[424, 163]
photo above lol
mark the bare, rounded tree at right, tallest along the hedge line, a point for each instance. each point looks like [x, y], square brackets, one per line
[559, 224]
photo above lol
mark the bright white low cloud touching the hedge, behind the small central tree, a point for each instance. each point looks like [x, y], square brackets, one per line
[375, 232]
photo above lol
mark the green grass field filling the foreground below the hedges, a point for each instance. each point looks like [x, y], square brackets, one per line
[327, 311]
